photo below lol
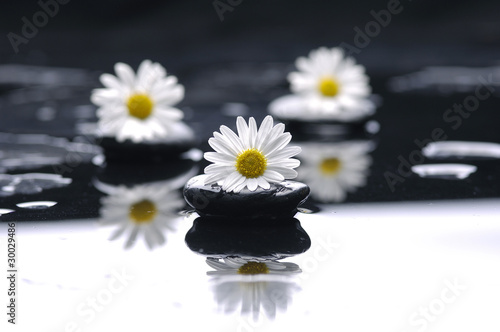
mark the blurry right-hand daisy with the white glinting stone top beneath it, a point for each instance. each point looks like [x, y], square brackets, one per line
[327, 86]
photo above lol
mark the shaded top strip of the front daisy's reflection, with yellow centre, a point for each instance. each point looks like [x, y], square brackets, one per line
[242, 266]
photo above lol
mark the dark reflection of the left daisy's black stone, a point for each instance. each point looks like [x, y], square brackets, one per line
[130, 174]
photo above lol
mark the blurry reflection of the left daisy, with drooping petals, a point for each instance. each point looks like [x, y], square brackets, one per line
[147, 209]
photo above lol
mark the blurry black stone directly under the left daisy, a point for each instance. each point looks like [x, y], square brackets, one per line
[138, 152]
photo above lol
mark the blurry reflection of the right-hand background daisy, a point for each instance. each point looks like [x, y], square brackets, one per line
[334, 169]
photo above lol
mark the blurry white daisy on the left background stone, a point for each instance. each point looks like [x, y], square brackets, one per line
[138, 106]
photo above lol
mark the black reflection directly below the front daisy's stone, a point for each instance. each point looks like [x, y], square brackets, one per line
[264, 238]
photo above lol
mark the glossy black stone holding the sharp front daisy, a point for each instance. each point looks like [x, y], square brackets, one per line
[279, 201]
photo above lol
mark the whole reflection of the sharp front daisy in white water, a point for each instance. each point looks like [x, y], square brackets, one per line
[253, 286]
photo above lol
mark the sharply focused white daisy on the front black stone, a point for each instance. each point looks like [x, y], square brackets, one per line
[253, 158]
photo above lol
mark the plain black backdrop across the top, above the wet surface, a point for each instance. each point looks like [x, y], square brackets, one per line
[187, 34]
